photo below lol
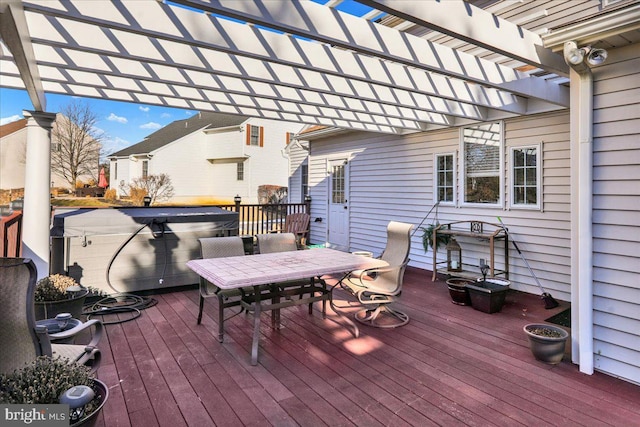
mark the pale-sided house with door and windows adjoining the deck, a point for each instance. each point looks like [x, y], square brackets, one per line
[578, 224]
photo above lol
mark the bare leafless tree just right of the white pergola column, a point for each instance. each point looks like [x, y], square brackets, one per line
[76, 143]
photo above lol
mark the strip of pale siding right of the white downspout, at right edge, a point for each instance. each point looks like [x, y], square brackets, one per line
[616, 214]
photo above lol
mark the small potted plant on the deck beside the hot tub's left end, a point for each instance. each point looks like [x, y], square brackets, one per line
[59, 294]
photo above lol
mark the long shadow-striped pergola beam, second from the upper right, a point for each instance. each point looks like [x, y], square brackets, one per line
[320, 23]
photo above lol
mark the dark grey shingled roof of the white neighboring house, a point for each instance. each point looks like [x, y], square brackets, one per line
[179, 129]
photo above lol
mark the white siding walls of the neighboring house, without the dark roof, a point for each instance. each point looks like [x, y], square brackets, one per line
[195, 179]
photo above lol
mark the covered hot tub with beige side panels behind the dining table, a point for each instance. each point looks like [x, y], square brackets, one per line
[140, 248]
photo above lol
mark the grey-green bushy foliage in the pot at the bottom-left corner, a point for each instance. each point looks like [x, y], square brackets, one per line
[44, 381]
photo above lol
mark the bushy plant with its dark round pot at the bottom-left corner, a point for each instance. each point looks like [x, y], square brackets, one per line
[45, 381]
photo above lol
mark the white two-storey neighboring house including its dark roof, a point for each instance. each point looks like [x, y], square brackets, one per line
[210, 156]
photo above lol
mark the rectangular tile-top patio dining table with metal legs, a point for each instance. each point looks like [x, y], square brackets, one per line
[272, 268]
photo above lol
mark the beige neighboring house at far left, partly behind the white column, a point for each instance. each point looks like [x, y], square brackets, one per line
[13, 146]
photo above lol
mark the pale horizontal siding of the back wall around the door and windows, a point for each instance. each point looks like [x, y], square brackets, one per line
[391, 178]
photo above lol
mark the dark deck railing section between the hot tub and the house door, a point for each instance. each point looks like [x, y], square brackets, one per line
[263, 218]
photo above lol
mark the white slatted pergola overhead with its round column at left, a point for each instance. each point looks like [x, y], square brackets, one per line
[404, 66]
